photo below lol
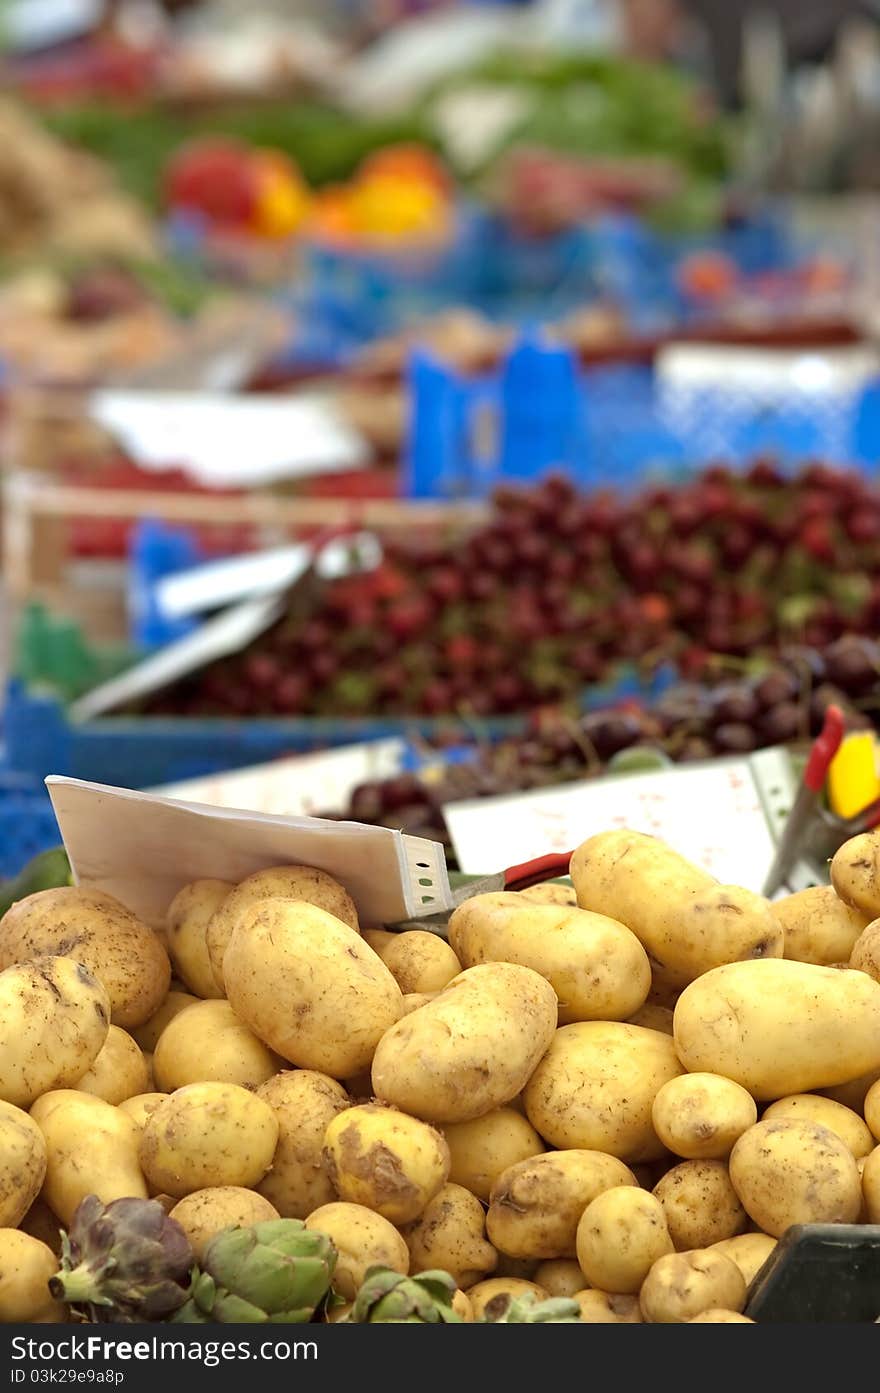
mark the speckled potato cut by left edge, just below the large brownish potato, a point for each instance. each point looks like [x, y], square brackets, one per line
[55, 1018]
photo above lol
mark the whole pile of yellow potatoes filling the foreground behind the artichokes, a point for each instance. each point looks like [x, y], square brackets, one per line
[624, 1093]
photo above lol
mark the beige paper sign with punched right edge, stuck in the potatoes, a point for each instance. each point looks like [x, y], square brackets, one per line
[144, 849]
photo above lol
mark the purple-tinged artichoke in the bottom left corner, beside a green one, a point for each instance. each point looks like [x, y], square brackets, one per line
[123, 1263]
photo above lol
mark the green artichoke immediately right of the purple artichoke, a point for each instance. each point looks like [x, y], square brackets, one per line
[269, 1273]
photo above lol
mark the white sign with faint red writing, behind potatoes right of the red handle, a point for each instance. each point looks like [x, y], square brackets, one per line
[712, 814]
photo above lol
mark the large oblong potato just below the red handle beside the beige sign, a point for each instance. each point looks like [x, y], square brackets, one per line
[597, 967]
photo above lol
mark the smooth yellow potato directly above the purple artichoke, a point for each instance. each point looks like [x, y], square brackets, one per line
[91, 1150]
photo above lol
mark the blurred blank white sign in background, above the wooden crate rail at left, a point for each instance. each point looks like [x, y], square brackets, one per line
[226, 441]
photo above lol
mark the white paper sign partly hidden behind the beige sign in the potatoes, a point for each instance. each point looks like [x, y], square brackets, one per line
[303, 786]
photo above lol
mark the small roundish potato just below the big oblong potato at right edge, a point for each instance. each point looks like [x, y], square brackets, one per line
[701, 1116]
